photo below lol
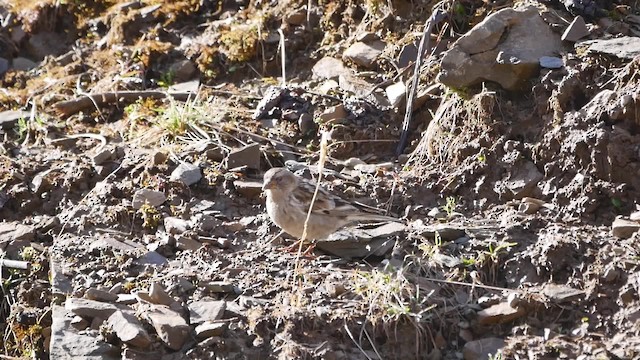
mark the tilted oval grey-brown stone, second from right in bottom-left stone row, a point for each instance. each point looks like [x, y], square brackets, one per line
[169, 325]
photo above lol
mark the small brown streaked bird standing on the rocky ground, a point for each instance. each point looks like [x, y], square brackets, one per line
[288, 200]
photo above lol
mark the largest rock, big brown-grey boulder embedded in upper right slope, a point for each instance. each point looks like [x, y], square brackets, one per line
[505, 47]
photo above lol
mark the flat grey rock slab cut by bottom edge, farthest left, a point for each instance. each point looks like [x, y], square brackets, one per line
[67, 344]
